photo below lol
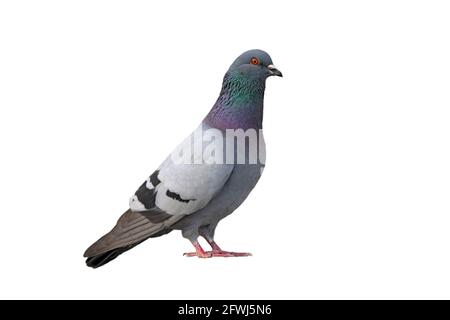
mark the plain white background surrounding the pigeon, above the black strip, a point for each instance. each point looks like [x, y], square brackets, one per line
[354, 201]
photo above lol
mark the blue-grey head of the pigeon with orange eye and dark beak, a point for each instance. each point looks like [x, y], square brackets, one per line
[254, 64]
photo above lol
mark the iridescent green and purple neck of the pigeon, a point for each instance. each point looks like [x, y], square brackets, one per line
[240, 103]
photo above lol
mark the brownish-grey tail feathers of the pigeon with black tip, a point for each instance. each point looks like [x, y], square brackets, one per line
[131, 229]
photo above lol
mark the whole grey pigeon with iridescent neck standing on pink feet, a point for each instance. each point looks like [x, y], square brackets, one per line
[207, 176]
